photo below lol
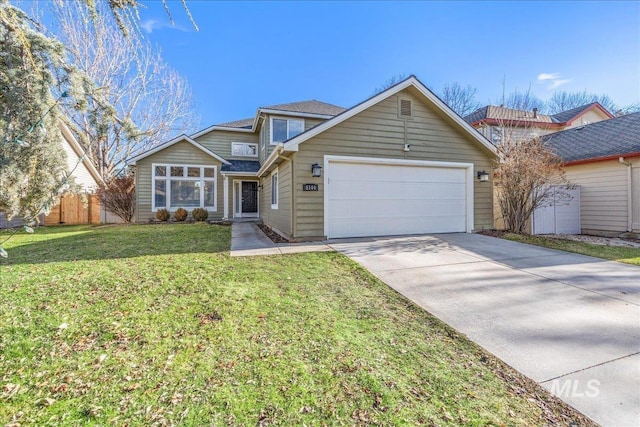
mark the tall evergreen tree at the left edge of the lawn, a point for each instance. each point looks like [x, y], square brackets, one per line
[33, 80]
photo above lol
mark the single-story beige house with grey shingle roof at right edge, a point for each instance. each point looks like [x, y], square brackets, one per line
[604, 159]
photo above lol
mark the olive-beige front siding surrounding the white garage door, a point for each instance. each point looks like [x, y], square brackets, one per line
[379, 132]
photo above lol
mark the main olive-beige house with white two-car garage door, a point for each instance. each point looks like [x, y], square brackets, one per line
[401, 162]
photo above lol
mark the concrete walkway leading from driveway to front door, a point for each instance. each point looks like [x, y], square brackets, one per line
[248, 240]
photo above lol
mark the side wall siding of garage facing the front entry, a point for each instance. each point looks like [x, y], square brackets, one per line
[279, 219]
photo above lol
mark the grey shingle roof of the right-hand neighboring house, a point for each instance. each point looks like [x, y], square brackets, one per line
[614, 137]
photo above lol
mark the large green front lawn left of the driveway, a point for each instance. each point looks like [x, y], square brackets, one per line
[164, 328]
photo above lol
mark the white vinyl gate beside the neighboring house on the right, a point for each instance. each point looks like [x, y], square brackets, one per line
[562, 216]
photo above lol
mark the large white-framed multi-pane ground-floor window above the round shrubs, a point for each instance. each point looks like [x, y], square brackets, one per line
[184, 187]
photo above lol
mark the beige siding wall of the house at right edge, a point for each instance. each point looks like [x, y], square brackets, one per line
[603, 195]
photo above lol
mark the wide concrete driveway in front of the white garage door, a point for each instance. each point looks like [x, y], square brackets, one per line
[569, 322]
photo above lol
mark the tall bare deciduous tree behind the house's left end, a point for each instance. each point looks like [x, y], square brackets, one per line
[139, 100]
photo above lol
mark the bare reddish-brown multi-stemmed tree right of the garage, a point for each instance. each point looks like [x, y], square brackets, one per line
[524, 174]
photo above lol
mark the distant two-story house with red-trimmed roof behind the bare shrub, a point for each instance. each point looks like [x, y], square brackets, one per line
[493, 121]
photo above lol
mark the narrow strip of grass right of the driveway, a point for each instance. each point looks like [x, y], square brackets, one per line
[613, 253]
